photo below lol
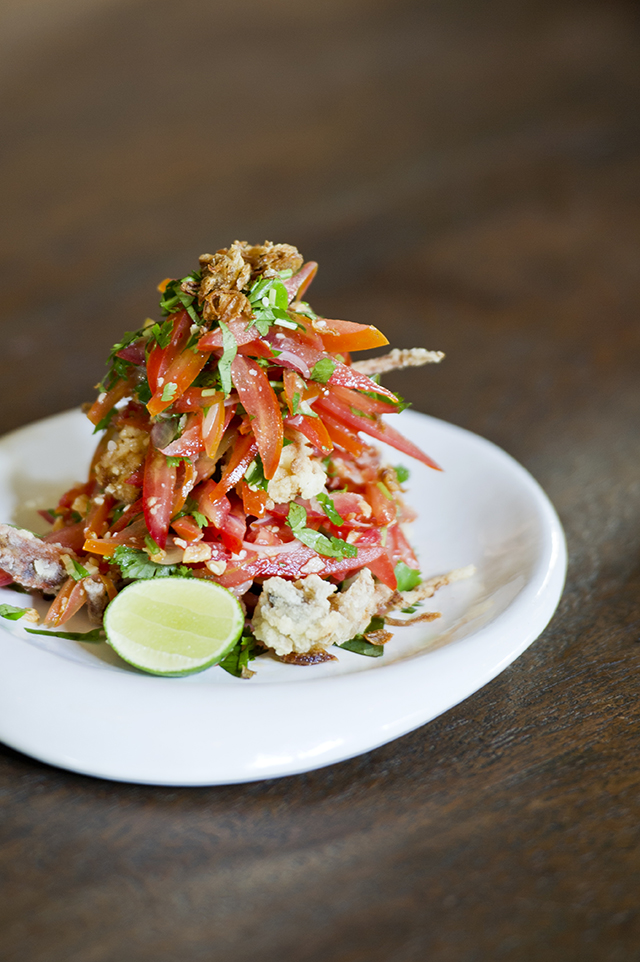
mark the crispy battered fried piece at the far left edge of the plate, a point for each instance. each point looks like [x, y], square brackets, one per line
[31, 562]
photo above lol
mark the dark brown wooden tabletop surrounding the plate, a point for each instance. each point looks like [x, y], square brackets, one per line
[467, 176]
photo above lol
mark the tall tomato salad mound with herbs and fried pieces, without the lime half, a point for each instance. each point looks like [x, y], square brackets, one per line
[235, 447]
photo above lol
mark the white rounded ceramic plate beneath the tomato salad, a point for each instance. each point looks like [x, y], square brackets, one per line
[80, 707]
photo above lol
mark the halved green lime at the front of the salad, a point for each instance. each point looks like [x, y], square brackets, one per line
[173, 626]
